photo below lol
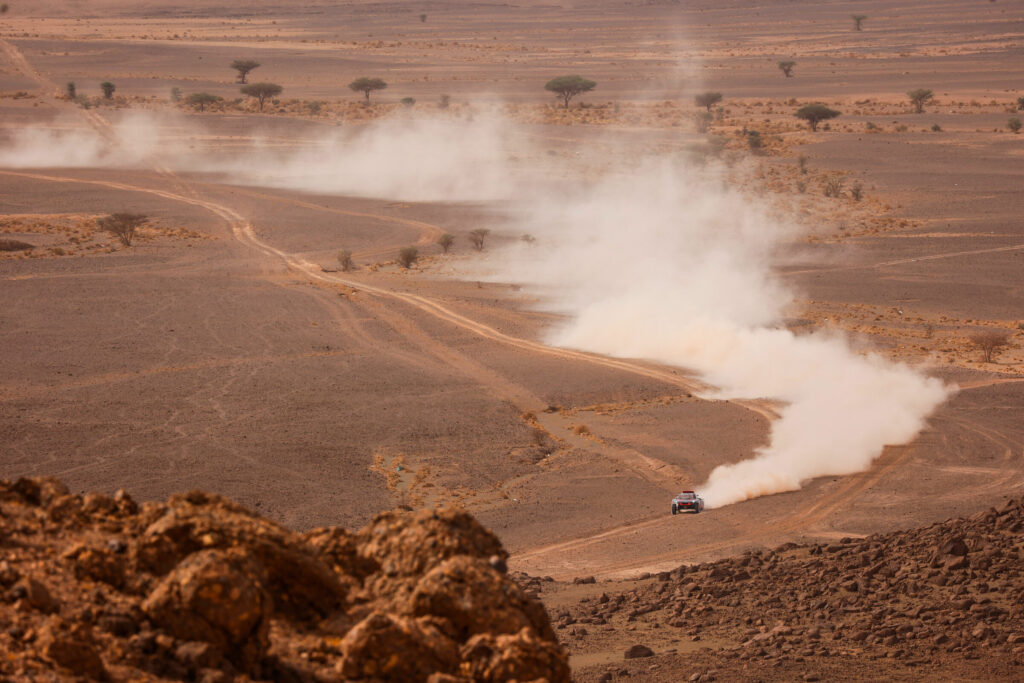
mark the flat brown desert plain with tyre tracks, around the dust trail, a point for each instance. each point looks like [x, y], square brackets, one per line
[226, 350]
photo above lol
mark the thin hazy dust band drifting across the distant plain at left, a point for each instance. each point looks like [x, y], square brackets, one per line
[402, 158]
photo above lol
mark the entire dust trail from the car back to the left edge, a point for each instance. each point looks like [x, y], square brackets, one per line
[658, 259]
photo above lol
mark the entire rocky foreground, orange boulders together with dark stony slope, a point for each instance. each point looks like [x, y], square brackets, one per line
[202, 589]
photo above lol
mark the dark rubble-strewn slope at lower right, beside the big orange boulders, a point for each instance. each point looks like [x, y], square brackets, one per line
[934, 604]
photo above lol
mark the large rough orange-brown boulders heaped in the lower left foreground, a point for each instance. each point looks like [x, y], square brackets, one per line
[202, 589]
